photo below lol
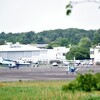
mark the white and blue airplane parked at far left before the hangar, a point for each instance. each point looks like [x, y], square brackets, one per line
[11, 63]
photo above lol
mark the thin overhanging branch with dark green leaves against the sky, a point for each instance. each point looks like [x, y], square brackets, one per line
[71, 4]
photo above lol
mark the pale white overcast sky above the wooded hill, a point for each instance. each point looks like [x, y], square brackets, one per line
[40, 15]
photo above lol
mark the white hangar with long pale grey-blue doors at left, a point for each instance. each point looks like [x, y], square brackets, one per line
[18, 51]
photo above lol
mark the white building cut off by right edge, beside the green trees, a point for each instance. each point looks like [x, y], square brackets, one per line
[95, 54]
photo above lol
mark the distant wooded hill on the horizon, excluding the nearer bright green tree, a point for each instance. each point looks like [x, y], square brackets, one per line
[56, 37]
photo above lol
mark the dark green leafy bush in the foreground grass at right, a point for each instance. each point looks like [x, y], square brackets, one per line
[86, 82]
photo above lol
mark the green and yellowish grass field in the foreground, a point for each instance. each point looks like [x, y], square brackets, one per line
[42, 90]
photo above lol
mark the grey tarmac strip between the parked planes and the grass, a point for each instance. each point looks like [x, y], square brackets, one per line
[41, 73]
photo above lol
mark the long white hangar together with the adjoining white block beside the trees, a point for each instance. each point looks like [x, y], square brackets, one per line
[19, 51]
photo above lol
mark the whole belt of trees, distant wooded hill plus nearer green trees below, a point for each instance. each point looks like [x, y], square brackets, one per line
[79, 40]
